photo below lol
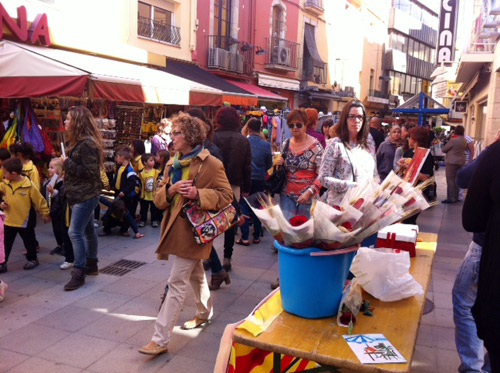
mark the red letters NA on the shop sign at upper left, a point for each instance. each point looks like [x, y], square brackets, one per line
[38, 31]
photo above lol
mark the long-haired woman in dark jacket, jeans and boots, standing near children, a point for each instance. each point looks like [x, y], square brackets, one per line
[82, 170]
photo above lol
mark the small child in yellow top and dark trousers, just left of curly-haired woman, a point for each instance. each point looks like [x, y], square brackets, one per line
[149, 177]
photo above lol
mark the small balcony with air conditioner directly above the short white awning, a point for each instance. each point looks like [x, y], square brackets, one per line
[281, 54]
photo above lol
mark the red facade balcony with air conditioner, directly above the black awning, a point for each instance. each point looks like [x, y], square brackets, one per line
[226, 54]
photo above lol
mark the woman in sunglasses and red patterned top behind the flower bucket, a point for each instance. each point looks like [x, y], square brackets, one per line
[301, 157]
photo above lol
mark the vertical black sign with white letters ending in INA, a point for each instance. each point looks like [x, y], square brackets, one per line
[447, 30]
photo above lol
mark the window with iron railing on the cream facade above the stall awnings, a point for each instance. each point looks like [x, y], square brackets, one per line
[157, 24]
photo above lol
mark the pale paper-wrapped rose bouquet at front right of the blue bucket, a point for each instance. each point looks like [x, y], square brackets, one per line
[329, 234]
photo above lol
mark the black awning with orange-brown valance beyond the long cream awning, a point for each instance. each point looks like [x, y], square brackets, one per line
[230, 92]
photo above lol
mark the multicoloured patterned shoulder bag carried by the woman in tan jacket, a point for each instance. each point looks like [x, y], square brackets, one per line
[206, 224]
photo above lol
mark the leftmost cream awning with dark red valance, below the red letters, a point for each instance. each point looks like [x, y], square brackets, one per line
[27, 74]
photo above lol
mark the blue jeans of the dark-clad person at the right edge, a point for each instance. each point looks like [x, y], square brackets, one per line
[469, 346]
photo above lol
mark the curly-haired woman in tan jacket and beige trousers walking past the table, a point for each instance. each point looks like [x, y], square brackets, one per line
[212, 191]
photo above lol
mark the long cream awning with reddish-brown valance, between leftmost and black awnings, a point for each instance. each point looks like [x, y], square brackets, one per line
[123, 81]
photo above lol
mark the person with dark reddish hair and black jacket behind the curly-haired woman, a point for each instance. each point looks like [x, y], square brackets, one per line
[237, 158]
